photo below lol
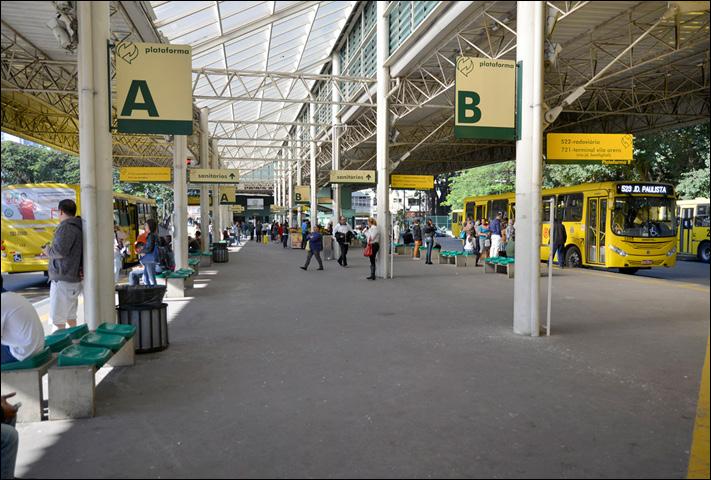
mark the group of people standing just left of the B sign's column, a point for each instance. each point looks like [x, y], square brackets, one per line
[485, 238]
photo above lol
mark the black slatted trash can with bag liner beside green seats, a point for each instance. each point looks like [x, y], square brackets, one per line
[151, 324]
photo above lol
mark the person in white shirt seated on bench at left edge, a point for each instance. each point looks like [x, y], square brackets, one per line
[22, 332]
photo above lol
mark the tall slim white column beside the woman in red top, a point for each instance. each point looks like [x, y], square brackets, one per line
[382, 140]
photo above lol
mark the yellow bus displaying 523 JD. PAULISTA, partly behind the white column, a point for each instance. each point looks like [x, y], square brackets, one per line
[622, 225]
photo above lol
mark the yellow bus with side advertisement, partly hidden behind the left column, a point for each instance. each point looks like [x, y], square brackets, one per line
[30, 217]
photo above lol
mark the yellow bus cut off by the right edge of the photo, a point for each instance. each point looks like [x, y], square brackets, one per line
[693, 220]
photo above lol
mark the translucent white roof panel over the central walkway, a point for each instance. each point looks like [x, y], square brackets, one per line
[251, 36]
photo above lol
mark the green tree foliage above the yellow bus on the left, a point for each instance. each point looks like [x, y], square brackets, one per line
[28, 164]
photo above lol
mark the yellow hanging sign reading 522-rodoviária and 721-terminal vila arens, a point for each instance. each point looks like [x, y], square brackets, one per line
[608, 148]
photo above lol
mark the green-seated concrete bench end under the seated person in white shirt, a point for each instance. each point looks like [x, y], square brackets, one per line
[25, 379]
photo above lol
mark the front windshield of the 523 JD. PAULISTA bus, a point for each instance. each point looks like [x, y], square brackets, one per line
[643, 217]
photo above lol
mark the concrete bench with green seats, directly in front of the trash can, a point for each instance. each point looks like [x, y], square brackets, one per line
[72, 383]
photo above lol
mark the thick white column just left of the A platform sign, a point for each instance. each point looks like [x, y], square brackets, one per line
[96, 170]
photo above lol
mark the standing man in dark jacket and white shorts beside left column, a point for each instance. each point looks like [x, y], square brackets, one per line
[65, 266]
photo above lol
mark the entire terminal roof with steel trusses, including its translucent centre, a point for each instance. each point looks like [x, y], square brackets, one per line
[662, 82]
